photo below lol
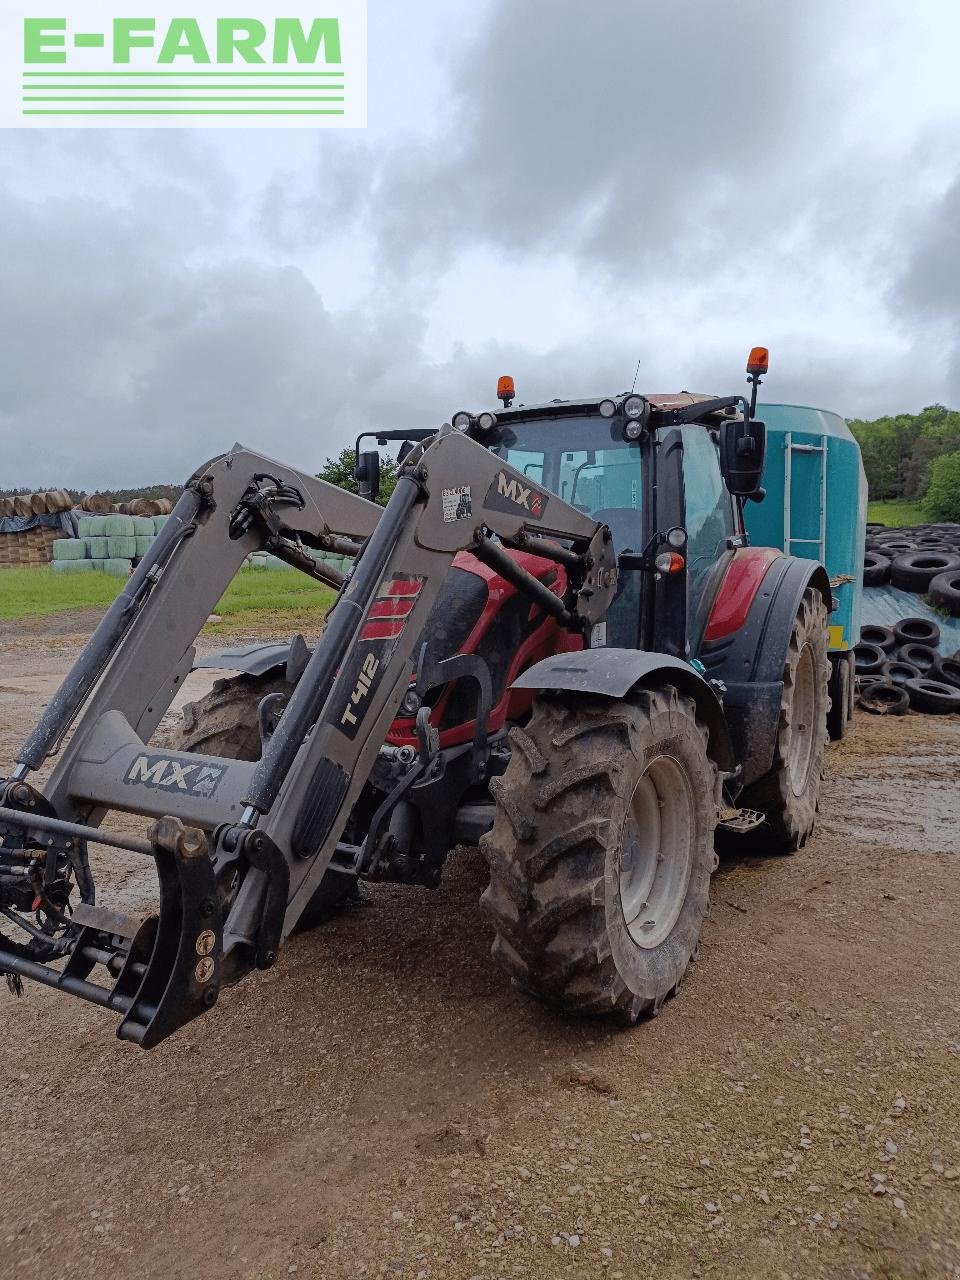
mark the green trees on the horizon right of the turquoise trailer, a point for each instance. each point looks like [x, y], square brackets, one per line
[915, 456]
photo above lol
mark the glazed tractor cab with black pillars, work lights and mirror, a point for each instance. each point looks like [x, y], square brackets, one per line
[666, 473]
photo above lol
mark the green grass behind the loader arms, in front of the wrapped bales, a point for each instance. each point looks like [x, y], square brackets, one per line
[255, 595]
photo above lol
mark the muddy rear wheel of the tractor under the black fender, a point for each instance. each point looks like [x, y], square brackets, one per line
[789, 797]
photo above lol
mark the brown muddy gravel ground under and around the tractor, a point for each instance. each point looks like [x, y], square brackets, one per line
[385, 1104]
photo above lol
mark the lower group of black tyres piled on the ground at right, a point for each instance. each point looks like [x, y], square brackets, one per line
[899, 669]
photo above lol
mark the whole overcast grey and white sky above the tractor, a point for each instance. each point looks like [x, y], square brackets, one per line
[548, 189]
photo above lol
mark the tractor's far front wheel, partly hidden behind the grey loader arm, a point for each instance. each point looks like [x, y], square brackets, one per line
[225, 723]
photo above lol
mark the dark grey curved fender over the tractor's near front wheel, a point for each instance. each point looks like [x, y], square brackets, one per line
[618, 673]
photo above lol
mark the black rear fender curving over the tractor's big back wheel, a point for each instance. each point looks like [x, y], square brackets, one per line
[749, 662]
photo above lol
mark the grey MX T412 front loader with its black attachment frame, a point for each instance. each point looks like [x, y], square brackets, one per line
[240, 848]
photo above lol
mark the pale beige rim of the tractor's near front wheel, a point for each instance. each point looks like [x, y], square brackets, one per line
[656, 854]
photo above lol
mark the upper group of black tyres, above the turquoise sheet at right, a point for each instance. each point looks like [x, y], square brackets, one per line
[920, 559]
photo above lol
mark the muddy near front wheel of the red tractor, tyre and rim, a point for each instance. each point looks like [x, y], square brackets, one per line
[602, 852]
